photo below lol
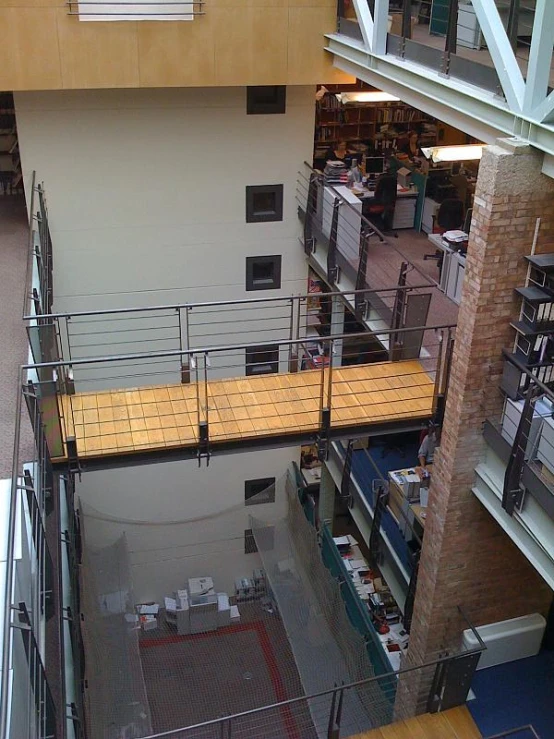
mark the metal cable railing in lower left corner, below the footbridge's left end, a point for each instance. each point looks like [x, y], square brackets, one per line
[32, 639]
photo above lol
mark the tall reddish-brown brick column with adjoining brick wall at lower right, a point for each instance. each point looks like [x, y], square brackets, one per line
[467, 559]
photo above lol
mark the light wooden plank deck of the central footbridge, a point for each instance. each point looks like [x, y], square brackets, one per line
[157, 418]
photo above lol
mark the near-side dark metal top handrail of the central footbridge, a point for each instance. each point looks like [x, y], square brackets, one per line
[231, 347]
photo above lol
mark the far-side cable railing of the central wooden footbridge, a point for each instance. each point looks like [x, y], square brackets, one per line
[86, 334]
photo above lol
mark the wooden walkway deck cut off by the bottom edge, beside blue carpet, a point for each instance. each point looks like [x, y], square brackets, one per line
[456, 723]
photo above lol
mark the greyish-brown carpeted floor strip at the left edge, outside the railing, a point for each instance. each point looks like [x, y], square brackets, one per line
[14, 240]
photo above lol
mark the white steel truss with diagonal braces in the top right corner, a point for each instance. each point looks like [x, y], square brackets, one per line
[526, 112]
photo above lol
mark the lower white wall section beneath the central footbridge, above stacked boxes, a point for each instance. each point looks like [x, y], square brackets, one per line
[155, 502]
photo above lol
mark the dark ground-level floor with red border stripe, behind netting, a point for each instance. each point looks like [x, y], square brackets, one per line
[191, 679]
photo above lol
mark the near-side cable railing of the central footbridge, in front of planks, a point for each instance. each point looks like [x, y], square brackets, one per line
[222, 394]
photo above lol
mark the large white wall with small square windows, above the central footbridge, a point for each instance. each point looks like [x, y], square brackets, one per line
[146, 198]
